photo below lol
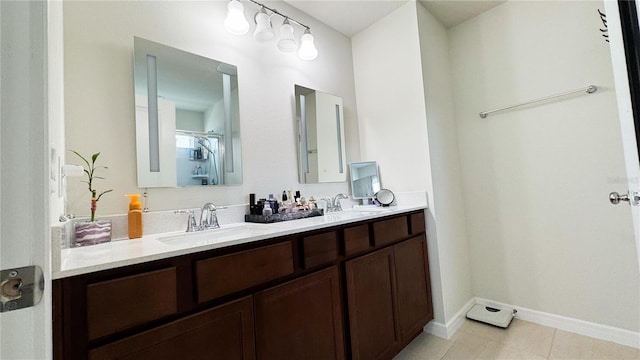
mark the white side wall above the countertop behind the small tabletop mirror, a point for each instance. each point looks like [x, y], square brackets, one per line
[391, 110]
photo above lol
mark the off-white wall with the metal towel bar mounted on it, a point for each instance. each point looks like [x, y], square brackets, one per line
[536, 180]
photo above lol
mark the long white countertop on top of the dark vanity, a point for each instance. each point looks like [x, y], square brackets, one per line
[82, 260]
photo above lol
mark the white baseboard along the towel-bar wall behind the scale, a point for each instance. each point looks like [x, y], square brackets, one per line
[598, 331]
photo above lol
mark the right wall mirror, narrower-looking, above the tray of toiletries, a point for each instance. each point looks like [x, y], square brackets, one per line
[320, 124]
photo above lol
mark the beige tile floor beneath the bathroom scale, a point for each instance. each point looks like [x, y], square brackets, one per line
[521, 341]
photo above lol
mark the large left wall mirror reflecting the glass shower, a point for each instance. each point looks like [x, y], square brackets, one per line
[187, 118]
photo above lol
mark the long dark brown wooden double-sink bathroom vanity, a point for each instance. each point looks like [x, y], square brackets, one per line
[349, 286]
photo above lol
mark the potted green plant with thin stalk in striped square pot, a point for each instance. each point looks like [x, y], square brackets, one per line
[92, 231]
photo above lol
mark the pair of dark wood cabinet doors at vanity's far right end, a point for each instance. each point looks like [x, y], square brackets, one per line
[389, 297]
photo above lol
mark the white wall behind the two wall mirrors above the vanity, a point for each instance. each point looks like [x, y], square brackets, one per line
[99, 103]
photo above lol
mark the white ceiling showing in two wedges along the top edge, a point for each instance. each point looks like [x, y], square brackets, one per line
[352, 16]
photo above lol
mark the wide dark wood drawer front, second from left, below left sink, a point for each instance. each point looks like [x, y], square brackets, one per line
[227, 274]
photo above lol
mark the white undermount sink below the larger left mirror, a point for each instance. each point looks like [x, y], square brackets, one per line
[222, 234]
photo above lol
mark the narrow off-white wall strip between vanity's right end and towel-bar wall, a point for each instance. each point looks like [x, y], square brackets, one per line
[448, 202]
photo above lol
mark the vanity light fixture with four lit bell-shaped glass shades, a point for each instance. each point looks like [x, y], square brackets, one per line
[236, 24]
